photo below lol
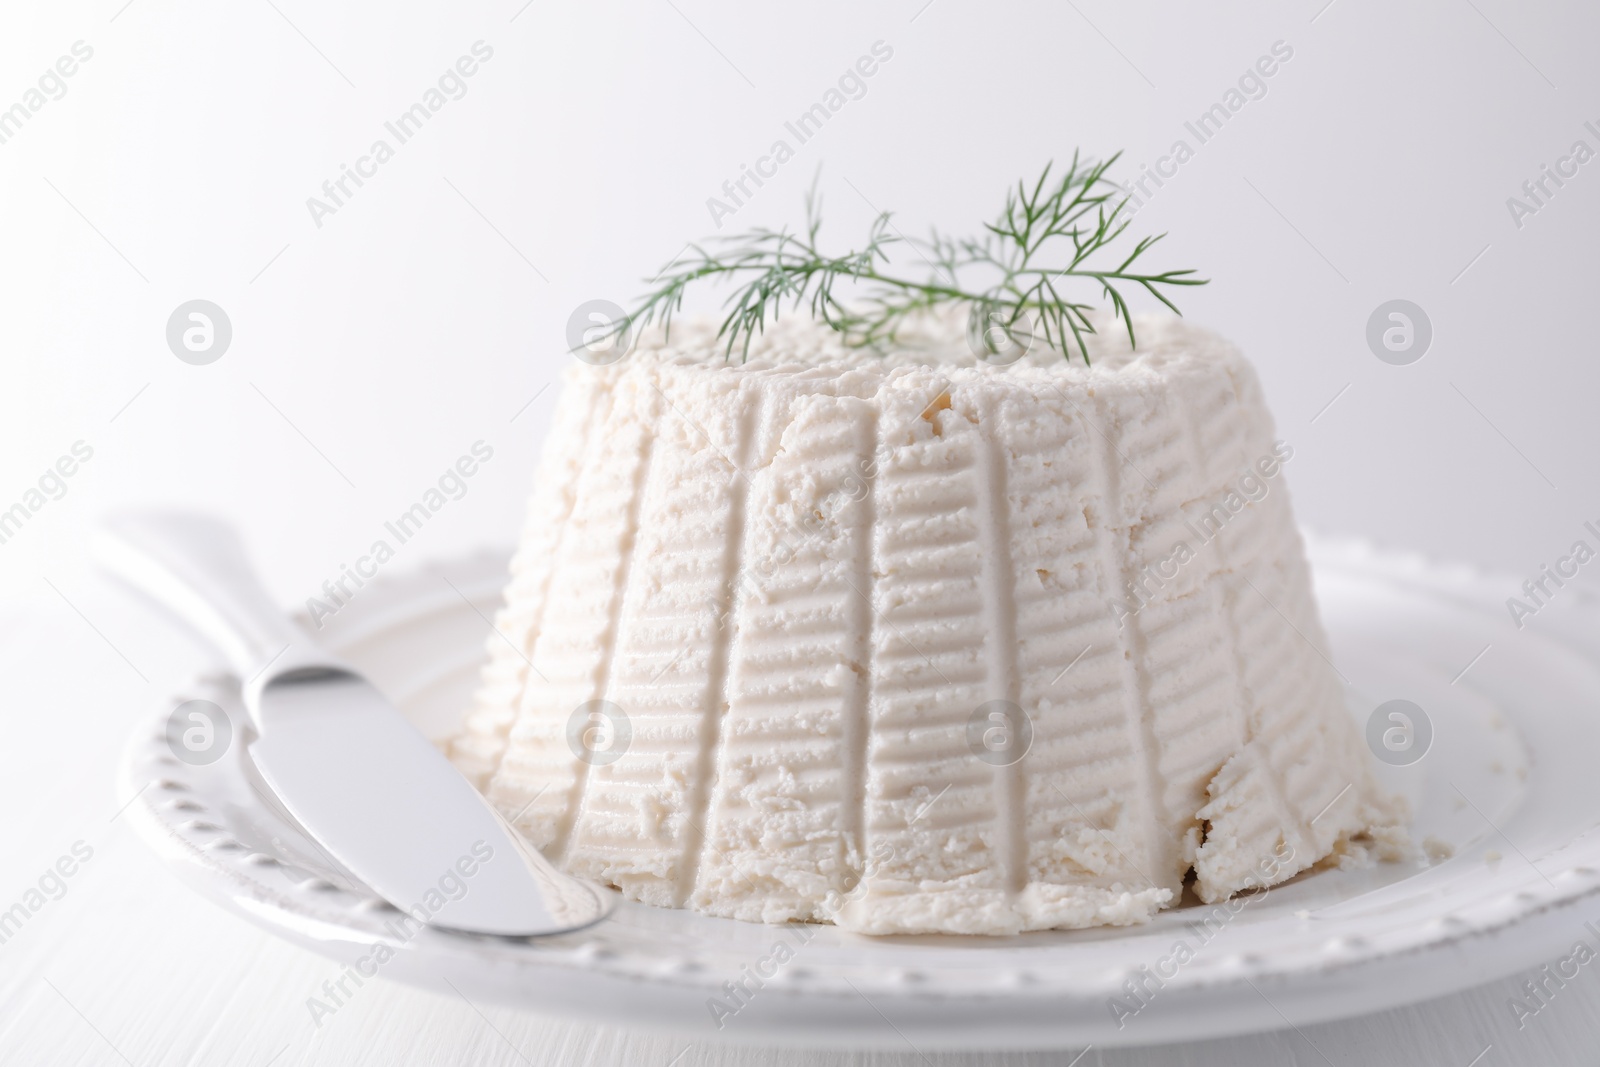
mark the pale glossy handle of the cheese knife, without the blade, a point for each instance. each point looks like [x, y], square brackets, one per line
[196, 569]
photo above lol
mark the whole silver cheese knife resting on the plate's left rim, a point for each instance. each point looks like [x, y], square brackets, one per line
[340, 757]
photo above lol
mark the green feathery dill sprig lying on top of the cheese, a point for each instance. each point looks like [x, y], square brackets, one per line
[1076, 218]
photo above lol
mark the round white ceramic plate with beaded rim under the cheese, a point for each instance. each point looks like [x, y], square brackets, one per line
[1508, 785]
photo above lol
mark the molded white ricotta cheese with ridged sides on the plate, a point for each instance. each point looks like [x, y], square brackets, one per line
[798, 581]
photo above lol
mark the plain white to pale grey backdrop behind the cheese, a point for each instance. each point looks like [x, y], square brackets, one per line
[372, 351]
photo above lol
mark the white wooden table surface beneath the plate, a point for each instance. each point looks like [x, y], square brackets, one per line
[129, 967]
